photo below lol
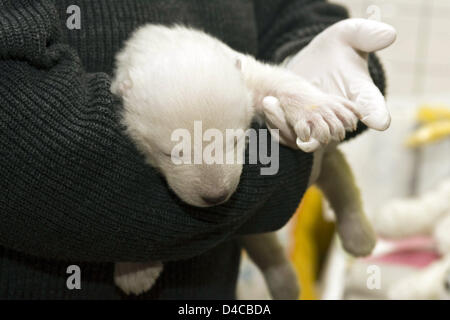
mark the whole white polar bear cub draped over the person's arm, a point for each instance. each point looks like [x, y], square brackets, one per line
[170, 77]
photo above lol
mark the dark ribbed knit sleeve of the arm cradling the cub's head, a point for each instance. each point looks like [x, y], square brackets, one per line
[73, 185]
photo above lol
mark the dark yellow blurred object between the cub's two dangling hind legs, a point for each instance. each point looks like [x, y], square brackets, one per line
[311, 237]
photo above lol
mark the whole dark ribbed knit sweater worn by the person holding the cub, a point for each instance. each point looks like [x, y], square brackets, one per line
[74, 189]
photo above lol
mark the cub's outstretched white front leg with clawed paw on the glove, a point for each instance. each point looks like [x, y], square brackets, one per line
[314, 117]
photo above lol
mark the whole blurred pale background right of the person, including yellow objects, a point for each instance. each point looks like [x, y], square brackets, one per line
[403, 174]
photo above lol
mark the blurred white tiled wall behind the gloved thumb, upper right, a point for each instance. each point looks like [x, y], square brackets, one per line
[419, 62]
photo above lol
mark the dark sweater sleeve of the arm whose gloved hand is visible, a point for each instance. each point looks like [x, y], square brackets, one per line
[287, 26]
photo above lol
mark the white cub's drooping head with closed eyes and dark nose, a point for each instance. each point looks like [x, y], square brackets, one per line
[189, 118]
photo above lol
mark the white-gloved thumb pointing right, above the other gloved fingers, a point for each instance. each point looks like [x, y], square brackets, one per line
[368, 35]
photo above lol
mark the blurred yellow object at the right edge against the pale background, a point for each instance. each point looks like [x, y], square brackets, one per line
[436, 125]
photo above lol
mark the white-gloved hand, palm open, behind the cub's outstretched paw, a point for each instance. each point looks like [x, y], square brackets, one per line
[336, 61]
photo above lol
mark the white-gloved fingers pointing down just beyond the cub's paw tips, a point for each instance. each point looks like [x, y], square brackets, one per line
[370, 104]
